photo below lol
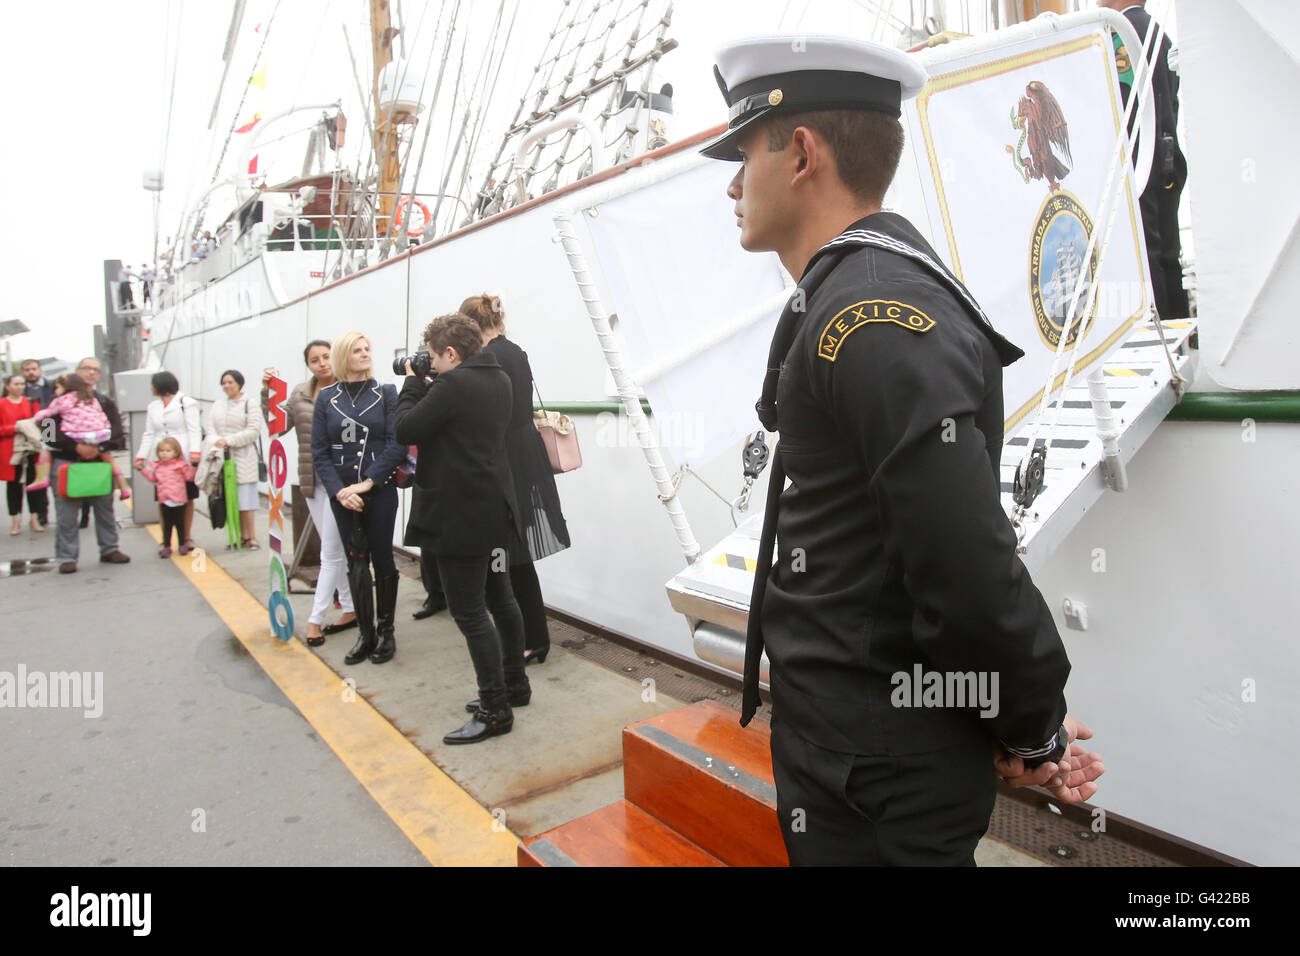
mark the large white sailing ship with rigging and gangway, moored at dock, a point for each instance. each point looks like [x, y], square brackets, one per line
[1149, 466]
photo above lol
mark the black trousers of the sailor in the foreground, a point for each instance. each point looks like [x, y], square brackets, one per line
[844, 810]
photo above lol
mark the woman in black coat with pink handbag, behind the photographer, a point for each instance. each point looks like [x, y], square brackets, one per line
[540, 516]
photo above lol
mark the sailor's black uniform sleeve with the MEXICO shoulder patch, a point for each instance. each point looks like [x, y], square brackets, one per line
[908, 401]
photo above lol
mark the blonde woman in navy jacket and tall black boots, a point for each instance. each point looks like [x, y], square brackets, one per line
[356, 455]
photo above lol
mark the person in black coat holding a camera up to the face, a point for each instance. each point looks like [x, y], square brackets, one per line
[466, 512]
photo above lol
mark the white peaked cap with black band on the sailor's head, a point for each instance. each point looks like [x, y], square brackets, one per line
[761, 76]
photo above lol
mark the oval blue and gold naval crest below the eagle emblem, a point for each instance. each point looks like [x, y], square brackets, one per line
[1056, 261]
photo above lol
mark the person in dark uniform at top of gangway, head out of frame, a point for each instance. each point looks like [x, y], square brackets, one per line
[1160, 200]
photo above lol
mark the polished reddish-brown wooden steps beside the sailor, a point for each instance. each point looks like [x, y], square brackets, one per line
[699, 791]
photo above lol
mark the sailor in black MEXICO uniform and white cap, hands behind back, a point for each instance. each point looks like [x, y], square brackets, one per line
[912, 657]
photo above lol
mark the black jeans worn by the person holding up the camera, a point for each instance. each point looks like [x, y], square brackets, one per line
[497, 652]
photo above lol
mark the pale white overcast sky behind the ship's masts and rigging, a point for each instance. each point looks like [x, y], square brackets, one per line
[88, 84]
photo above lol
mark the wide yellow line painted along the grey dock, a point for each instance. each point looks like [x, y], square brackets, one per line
[444, 823]
